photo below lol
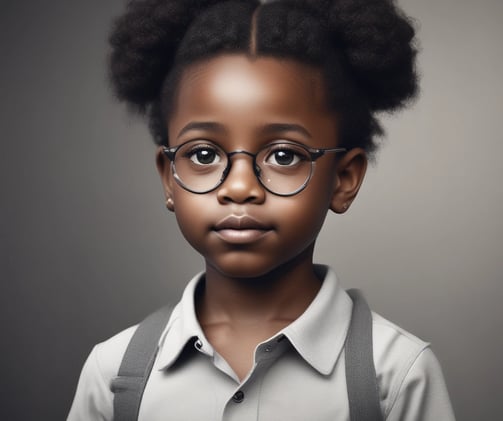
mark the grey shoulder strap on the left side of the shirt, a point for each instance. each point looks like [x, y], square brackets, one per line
[137, 364]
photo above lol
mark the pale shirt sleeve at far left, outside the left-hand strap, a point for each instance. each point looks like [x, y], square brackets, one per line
[93, 399]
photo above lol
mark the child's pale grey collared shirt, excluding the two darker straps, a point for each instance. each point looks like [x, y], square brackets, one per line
[298, 375]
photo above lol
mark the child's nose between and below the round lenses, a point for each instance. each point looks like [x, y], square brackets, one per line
[241, 184]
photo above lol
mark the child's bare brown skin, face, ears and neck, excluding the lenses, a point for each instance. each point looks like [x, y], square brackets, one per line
[260, 283]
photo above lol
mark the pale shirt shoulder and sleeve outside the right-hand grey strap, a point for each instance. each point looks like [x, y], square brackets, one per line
[409, 375]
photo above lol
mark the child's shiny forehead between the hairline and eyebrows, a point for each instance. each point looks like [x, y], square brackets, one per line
[234, 83]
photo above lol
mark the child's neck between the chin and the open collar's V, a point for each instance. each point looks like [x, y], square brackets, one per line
[280, 295]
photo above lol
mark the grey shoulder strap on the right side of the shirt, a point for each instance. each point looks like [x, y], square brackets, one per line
[363, 391]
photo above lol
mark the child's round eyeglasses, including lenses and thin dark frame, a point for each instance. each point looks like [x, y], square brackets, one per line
[284, 168]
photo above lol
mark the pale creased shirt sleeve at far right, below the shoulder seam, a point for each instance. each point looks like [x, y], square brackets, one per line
[423, 394]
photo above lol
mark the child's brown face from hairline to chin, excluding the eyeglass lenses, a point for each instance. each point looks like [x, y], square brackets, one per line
[246, 101]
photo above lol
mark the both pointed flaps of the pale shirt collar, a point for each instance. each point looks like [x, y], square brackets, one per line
[318, 335]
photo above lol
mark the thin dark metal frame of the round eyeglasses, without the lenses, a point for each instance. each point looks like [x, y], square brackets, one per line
[314, 154]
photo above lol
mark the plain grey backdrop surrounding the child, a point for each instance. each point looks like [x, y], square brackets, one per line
[87, 248]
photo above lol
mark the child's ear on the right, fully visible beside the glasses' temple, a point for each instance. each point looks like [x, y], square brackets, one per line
[350, 172]
